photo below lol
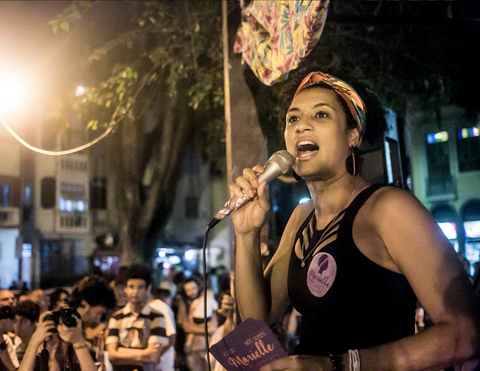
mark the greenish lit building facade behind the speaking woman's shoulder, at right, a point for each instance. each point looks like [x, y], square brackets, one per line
[444, 147]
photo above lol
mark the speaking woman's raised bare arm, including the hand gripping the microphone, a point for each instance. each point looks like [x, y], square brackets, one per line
[260, 296]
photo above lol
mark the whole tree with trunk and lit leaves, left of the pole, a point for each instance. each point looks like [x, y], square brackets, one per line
[165, 65]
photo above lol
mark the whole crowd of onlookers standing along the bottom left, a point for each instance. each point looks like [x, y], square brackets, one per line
[129, 323]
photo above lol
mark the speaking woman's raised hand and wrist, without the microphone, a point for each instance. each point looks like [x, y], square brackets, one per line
[252, 215]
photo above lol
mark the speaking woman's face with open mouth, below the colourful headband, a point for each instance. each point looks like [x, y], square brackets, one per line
[316, 134]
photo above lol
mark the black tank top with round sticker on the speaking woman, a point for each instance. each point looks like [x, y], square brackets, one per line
[360, 306]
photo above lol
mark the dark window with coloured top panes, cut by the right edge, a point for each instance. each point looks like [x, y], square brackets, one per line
[468, 149]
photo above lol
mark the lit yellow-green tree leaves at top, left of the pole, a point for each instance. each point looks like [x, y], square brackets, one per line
[167, 43]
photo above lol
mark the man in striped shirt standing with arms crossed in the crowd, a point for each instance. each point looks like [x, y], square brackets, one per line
[136, 333]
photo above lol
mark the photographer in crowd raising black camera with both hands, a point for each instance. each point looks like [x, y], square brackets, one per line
[54, 344]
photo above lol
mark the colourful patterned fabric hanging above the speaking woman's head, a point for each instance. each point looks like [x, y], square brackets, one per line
[275, 36]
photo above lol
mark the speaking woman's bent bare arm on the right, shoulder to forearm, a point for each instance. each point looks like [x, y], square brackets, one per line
[422, 253]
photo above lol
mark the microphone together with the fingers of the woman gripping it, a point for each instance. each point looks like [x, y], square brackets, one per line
[279, 163]
